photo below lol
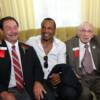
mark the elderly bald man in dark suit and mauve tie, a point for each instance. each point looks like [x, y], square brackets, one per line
[83, 54]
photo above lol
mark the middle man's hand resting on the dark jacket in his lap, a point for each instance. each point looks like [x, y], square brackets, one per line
[55, 79]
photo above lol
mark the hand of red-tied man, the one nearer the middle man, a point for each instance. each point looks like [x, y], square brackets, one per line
[39, 91]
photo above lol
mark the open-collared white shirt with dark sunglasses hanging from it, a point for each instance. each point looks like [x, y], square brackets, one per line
[56, 55]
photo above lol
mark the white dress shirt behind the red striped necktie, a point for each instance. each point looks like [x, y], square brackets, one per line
[12, 82]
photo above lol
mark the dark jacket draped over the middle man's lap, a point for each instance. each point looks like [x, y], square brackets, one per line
[68, 78]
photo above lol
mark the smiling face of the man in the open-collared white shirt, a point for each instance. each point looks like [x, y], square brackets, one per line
[47, 30]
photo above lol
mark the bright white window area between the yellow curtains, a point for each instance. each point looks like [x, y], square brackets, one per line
[64, 12]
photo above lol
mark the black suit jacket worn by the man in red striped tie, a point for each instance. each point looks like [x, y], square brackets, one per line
[30, 64]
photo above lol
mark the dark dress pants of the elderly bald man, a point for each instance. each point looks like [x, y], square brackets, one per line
[90, 82]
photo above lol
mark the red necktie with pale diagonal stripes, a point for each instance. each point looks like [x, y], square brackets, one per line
[18, 71]
